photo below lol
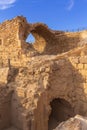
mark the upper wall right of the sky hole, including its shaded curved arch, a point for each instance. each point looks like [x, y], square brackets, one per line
[55, 42]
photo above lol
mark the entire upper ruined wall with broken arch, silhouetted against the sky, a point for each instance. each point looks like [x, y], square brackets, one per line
[13, 45]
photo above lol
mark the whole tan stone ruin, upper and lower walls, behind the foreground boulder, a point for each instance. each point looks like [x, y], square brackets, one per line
[44, 83]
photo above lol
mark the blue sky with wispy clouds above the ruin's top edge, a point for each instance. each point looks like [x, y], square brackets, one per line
[57, 14]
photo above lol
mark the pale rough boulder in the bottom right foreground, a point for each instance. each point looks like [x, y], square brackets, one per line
[75, 123]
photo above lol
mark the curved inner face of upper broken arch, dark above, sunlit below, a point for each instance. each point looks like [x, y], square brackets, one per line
[42, 35]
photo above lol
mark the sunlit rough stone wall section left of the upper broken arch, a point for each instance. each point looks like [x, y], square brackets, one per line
[10, 43]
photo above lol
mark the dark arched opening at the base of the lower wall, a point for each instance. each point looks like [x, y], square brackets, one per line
[61, 111]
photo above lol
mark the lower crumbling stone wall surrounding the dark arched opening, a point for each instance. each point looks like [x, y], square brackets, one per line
[54, 78]
